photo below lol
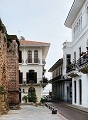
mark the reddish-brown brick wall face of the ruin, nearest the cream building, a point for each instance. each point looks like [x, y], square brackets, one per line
[13, 73]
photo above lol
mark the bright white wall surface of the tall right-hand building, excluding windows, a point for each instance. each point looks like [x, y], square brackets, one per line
[79, 41]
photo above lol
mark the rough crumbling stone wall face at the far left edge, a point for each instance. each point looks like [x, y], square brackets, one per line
[3, 73]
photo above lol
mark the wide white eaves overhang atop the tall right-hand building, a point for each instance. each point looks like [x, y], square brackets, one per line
[75, 8]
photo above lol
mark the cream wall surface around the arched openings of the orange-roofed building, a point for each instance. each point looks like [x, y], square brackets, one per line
[24, 67]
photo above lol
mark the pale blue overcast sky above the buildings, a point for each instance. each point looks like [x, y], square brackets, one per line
[39, 20]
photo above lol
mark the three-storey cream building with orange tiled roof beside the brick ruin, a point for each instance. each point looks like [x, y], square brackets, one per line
[32, 57]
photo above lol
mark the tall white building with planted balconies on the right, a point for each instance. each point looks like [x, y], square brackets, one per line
[75, 53]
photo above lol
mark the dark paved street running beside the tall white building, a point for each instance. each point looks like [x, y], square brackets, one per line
[70, 113]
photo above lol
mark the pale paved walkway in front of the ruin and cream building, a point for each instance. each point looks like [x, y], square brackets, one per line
[28, 112]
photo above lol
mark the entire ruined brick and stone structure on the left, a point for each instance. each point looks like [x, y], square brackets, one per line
[9, 71]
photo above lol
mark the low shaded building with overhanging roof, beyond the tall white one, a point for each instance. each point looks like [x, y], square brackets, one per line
[61, 87]
